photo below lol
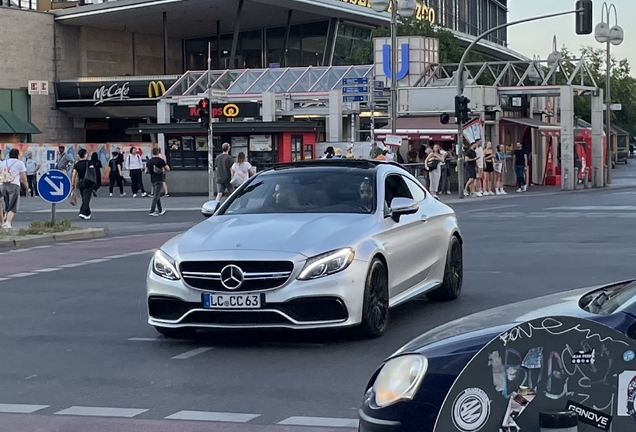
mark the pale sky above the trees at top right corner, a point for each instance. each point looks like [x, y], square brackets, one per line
[535, 38]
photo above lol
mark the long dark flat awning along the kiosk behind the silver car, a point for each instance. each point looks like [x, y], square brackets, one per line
[226, 127]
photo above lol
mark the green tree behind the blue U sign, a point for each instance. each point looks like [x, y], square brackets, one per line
[450, 51]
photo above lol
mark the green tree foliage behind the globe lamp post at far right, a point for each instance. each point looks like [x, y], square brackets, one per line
[623, 86]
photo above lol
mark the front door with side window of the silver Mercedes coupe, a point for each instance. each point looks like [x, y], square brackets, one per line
[397, 237]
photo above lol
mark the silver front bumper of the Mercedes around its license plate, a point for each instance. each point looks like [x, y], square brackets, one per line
[332, 301]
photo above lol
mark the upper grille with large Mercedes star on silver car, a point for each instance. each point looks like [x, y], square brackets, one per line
[256, 275]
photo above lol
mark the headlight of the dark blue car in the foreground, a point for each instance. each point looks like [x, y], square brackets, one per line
[399, 379]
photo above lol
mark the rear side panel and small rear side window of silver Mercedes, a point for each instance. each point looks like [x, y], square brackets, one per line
[432, 245]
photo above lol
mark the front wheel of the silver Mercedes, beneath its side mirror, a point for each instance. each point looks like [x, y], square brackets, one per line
[375, 310]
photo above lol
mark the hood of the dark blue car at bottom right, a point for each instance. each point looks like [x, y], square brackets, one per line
[489, 323]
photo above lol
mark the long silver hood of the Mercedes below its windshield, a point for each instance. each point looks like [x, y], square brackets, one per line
[306, 234]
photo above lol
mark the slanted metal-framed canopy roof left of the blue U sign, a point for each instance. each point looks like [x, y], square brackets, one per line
[297, 80]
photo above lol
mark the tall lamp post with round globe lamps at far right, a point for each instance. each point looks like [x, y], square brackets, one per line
[615, 35]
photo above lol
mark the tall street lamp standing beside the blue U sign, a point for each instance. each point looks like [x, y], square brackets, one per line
[405, 9]
